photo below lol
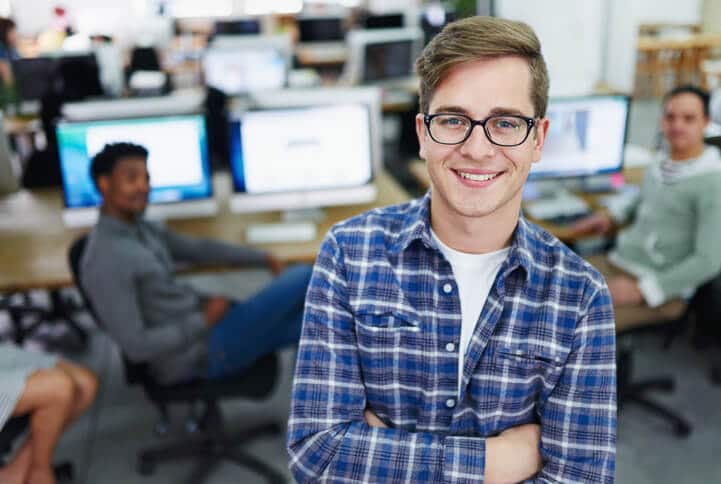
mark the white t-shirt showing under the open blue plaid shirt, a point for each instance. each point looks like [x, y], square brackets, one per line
[474, 275]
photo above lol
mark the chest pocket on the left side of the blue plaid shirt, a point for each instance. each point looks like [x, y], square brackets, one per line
[391, 353]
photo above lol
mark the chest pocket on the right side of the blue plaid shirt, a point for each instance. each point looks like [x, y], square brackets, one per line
[515, 380]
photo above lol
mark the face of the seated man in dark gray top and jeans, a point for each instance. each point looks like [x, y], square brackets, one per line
[125, 191]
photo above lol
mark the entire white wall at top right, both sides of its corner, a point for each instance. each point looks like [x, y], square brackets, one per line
[582, 47]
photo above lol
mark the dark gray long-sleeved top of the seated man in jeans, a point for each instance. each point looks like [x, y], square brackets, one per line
[128, 275]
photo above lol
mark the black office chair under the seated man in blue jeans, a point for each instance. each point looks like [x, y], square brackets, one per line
[214, 446]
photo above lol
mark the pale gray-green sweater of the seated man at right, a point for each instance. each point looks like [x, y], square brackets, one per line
[672, 244]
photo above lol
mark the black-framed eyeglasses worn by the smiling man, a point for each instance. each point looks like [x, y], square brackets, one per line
[501, 129]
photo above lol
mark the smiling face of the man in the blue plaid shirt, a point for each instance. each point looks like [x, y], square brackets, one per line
[479, 89]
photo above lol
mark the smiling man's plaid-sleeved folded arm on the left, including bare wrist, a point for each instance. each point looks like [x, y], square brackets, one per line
[328, 436]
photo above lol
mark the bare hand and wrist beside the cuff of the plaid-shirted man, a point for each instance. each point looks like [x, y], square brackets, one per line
[514, 455]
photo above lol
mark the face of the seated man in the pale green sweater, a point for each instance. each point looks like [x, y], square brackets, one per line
[683, 122]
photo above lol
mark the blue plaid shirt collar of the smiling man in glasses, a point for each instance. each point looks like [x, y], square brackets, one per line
[417, 226]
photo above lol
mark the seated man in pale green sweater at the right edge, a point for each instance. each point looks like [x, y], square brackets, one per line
[671, 246]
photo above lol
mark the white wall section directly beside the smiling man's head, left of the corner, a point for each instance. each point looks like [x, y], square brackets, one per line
[571, 39]
